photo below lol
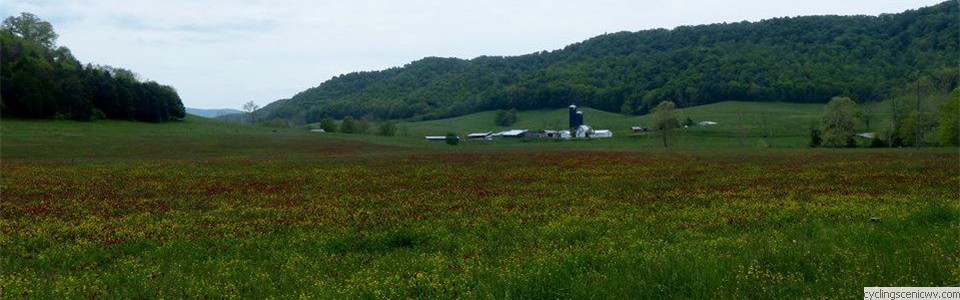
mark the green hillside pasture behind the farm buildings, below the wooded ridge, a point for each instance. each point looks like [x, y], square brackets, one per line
[739, 125]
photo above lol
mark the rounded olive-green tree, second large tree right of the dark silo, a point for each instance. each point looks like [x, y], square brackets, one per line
[840, 122]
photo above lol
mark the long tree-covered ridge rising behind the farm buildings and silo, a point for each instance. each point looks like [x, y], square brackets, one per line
[798, 59]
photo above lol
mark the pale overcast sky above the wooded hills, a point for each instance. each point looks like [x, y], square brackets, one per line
[219, 53]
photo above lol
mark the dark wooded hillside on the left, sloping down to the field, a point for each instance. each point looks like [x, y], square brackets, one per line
[41, 80]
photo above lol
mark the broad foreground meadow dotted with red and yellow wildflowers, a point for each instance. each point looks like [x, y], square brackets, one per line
[202, 209]
